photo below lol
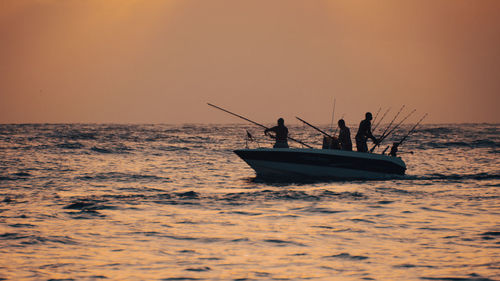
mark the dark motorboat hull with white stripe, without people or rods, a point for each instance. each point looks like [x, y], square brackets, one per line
[321, 164]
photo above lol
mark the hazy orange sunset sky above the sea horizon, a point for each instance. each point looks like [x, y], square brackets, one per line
[132, 61]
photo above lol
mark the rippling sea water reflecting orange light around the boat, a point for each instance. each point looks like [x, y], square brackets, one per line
[173, 202]
